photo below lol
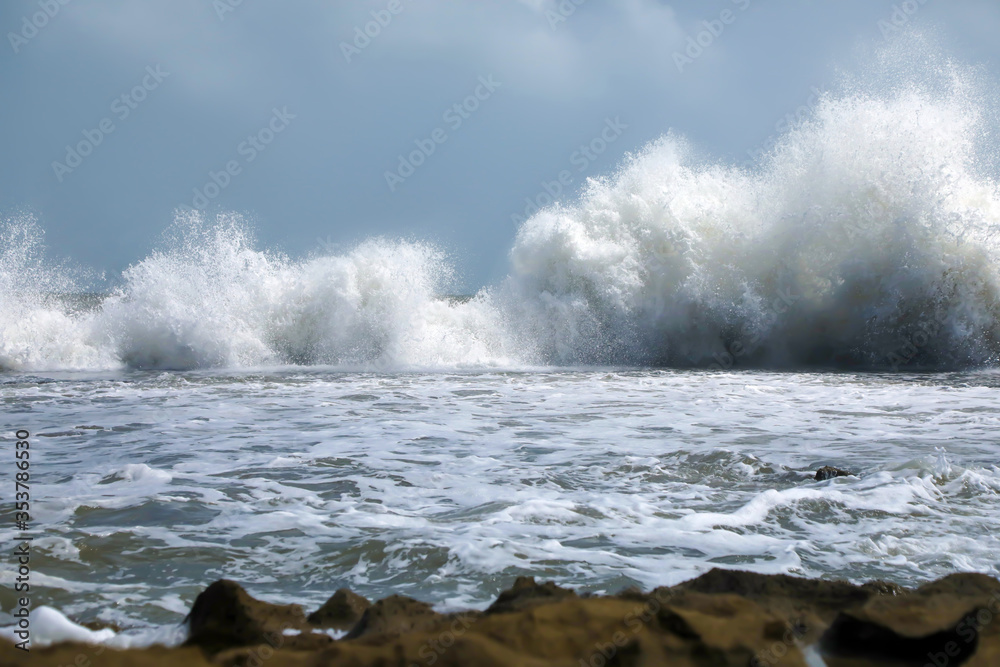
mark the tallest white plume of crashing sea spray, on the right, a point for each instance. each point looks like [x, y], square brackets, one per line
[867, 227]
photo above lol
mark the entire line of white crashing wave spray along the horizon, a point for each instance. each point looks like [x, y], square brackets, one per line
[866, 238]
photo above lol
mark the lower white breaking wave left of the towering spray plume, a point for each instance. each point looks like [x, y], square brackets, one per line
[212, 300]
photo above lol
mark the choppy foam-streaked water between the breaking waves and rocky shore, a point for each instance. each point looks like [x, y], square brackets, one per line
[445, 486]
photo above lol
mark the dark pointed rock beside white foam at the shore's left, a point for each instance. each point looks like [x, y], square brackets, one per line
[226, 616]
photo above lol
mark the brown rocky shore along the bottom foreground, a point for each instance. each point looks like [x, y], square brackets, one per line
[721, 618]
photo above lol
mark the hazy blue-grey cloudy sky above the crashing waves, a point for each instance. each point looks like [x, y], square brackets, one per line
[326, 123]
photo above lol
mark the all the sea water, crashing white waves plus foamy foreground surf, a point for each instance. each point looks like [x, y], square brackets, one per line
[645, 396]
